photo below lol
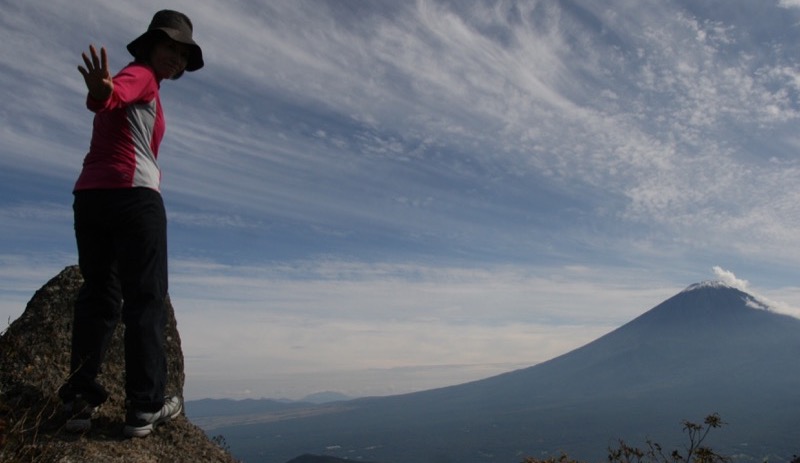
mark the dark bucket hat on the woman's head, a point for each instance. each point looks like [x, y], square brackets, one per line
[176, 26]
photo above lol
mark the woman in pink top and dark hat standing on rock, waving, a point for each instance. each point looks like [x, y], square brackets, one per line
[121, 230]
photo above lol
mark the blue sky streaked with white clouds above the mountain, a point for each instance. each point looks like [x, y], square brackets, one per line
[385, 196]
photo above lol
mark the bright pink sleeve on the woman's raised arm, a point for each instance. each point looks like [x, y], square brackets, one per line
[133, 84]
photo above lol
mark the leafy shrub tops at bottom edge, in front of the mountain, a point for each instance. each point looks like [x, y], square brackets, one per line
[694, 452]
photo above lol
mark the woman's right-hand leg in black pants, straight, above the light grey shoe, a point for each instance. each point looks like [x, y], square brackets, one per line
[142, 252]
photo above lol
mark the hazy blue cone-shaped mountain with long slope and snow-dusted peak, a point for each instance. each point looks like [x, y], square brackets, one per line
[710, 348]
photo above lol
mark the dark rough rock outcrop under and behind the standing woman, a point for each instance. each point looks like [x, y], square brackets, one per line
[34, 362]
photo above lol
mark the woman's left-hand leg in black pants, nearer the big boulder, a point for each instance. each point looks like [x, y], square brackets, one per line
[97, 307]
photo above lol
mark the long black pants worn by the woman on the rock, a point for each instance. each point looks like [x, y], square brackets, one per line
[122, 253]
